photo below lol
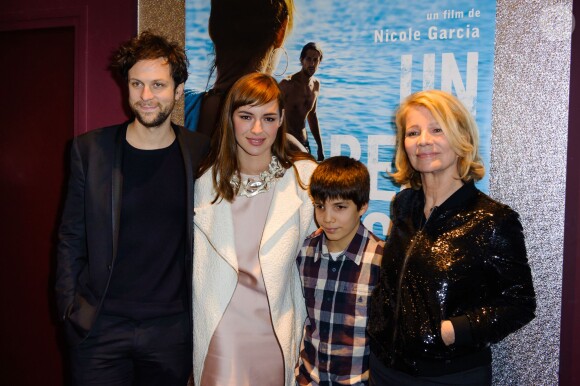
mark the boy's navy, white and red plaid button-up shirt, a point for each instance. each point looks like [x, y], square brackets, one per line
[335, 349]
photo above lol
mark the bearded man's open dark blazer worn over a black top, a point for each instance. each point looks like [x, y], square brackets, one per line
[89, 229]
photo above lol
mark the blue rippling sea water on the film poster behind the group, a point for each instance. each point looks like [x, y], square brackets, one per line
[376, 53]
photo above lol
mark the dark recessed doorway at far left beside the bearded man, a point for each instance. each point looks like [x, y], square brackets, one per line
[37, 119]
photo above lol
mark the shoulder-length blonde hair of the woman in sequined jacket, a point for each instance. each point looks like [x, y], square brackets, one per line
[459, 127]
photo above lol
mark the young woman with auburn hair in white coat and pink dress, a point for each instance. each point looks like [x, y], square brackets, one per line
[252, 214]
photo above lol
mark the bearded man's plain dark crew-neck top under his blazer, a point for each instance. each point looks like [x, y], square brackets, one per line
[148, 279]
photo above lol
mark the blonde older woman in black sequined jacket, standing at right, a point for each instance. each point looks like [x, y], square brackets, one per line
[454, 275]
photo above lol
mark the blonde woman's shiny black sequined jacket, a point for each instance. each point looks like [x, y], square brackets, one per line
[465, 263]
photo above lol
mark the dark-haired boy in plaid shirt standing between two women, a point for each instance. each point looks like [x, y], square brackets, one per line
[339, 266]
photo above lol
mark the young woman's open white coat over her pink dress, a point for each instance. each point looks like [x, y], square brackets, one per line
[215, 267]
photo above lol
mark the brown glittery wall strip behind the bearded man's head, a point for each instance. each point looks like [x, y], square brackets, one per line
[166, 17]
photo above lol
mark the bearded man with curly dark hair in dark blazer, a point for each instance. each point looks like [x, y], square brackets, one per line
[125, 240]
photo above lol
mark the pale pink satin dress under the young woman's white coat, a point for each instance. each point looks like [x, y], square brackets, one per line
[244, 350]
